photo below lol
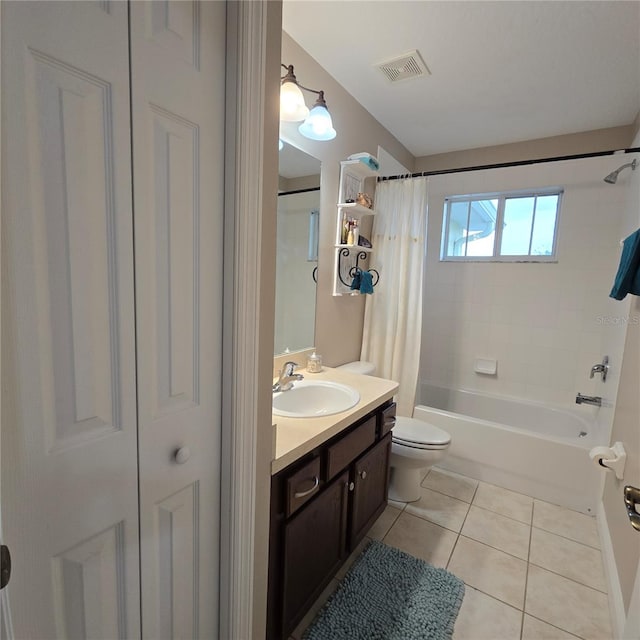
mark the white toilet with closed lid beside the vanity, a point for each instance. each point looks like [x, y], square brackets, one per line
[415, 447]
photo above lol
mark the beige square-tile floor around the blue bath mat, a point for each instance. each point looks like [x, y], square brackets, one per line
[532, 570]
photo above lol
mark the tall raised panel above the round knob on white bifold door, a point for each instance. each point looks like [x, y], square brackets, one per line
[176, 249]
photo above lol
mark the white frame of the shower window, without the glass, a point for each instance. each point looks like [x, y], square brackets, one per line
[502, 197]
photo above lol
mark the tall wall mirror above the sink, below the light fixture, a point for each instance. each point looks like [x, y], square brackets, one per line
[297, 250]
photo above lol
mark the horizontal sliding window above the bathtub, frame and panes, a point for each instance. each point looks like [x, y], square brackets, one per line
[512, 226]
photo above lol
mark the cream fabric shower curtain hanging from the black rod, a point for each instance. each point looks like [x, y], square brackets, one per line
[393, 315]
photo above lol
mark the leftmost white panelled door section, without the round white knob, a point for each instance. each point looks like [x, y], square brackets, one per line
[69, 472]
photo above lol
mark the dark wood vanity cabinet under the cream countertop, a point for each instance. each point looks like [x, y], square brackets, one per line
[321, 507]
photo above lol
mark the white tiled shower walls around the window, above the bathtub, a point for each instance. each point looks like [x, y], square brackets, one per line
[546, 323]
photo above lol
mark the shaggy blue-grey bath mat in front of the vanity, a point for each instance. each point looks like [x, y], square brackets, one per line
[389, 595]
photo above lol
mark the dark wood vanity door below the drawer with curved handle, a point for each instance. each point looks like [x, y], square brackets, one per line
[314, 549]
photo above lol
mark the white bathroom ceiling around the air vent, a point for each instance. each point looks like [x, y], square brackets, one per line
[502, 71]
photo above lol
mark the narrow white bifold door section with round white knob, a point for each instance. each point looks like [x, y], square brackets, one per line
[178, 89]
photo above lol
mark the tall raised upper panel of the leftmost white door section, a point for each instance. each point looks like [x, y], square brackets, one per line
[74, 220]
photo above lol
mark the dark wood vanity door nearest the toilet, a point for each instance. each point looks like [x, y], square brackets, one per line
[371, 475]
